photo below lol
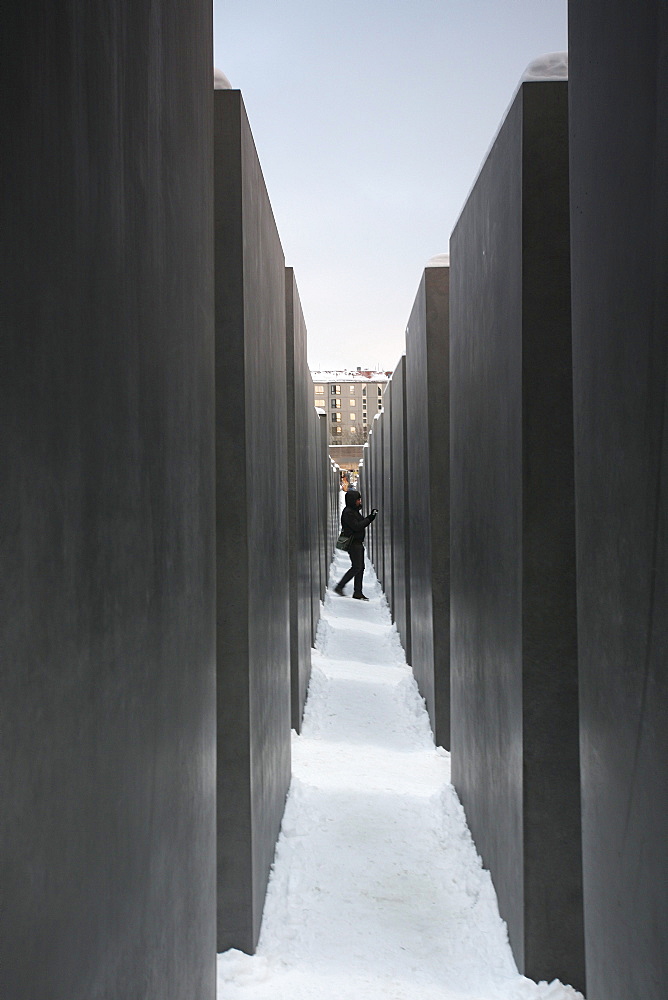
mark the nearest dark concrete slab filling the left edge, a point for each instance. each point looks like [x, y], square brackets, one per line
[107, 684]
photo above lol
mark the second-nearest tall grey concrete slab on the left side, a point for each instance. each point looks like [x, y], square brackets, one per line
[251, 458]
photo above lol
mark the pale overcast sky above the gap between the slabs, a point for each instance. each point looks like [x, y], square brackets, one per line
[371, 119]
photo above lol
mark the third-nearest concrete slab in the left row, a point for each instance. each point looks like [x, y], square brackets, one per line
[296, 499]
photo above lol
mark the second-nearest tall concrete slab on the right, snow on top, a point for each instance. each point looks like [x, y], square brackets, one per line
[514, 656]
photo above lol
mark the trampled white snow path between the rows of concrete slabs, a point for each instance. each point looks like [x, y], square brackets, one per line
[377, 891]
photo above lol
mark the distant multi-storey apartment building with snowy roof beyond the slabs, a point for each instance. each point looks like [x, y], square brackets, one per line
[350, 399]
